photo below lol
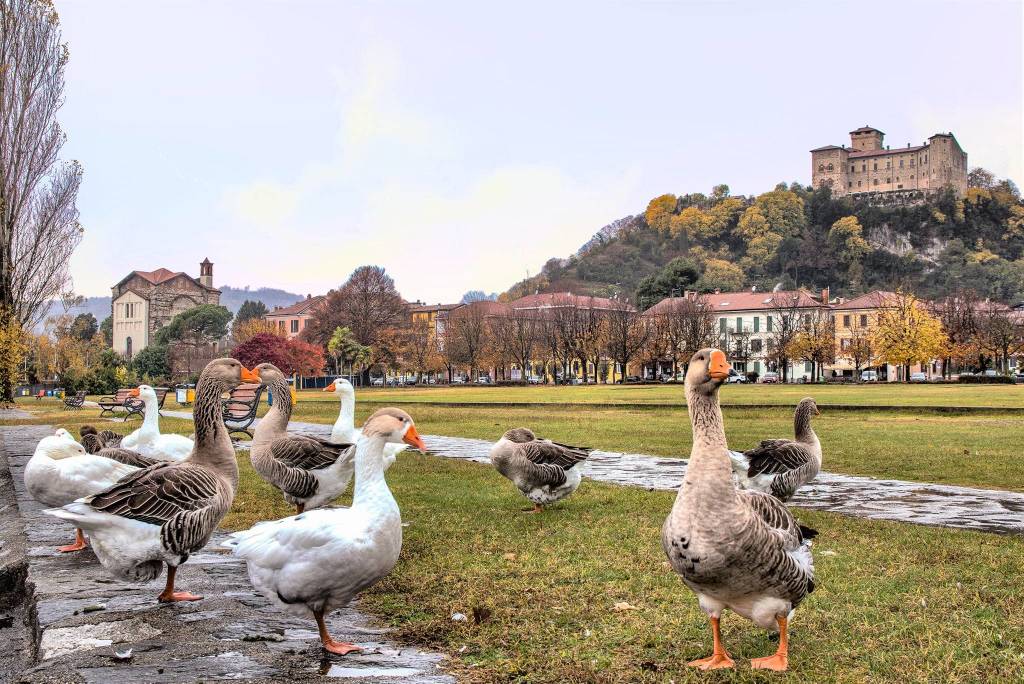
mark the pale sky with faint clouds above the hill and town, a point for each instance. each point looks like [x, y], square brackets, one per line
[461, 145]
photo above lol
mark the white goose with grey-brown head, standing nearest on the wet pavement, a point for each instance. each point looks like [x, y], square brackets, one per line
[317, 562]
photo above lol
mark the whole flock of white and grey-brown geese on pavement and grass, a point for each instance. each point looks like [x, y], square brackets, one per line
[150, 500]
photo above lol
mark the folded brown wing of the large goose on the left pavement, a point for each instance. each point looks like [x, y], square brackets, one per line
[158, 494]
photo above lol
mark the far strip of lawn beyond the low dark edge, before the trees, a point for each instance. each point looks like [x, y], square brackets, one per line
[870, 395]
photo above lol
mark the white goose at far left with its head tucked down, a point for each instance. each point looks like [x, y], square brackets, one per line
[61, 472]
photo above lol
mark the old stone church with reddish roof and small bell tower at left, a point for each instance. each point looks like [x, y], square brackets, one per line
[145, 302]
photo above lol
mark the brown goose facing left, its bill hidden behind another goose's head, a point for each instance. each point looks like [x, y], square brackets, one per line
[310, 472]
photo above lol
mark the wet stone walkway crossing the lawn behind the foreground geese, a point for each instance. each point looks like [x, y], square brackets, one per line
[922, 503]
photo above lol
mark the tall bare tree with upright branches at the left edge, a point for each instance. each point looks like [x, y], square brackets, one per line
[39, 229]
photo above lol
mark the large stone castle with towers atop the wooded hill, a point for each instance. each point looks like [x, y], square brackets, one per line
[868, 166]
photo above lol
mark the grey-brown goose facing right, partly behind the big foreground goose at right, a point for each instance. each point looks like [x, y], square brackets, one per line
[780, 467]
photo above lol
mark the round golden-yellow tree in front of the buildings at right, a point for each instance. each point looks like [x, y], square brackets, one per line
[908, 334]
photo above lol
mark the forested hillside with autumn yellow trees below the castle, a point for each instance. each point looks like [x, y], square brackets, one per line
[799, 237]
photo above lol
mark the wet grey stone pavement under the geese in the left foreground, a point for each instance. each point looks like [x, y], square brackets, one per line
[87, 619]
